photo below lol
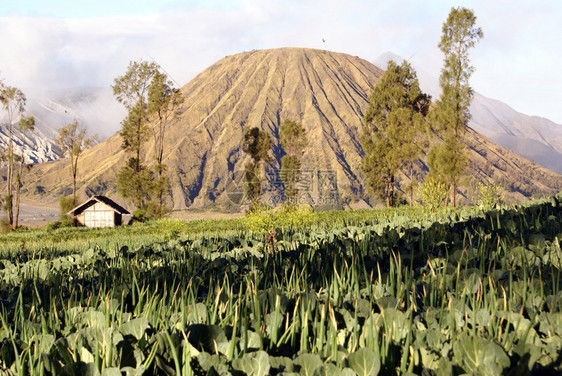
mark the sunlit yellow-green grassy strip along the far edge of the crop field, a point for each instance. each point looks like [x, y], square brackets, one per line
[72, 240]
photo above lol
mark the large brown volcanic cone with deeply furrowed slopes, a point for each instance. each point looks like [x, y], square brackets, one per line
[326, 91]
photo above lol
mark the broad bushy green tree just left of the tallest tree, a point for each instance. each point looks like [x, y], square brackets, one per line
[394, 122]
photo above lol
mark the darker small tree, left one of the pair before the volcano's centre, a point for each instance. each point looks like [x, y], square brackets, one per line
[257, 144]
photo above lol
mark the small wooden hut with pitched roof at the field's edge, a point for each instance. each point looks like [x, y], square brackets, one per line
[98, 211]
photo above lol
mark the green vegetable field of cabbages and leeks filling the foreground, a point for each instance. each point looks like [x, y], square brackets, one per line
[397, 292]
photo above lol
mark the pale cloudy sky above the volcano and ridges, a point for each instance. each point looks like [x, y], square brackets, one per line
[67, 44]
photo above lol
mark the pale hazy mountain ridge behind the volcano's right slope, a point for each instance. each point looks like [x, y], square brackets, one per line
[532, 137]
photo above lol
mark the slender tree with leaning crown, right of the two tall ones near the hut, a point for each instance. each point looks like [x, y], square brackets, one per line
[163, 101]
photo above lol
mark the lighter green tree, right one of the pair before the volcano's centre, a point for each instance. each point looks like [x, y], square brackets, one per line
[292, 137]
